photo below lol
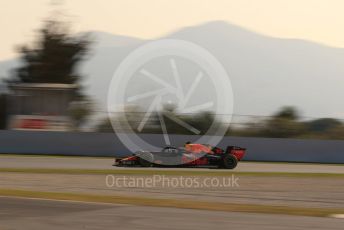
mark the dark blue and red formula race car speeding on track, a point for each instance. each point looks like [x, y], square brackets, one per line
[192, 155]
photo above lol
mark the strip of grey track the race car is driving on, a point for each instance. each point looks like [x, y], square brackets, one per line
[106, 163]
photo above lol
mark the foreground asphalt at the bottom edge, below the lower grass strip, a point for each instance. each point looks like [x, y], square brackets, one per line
[36, 214]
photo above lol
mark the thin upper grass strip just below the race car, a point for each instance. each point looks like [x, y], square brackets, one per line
[167, 172]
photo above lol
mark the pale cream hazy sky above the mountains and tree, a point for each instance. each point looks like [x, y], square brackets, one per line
[316, 20]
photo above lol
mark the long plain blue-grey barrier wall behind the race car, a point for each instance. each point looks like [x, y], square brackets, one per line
[107, 144]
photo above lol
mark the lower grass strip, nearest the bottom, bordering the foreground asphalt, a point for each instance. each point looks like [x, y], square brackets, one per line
[173, 203]
